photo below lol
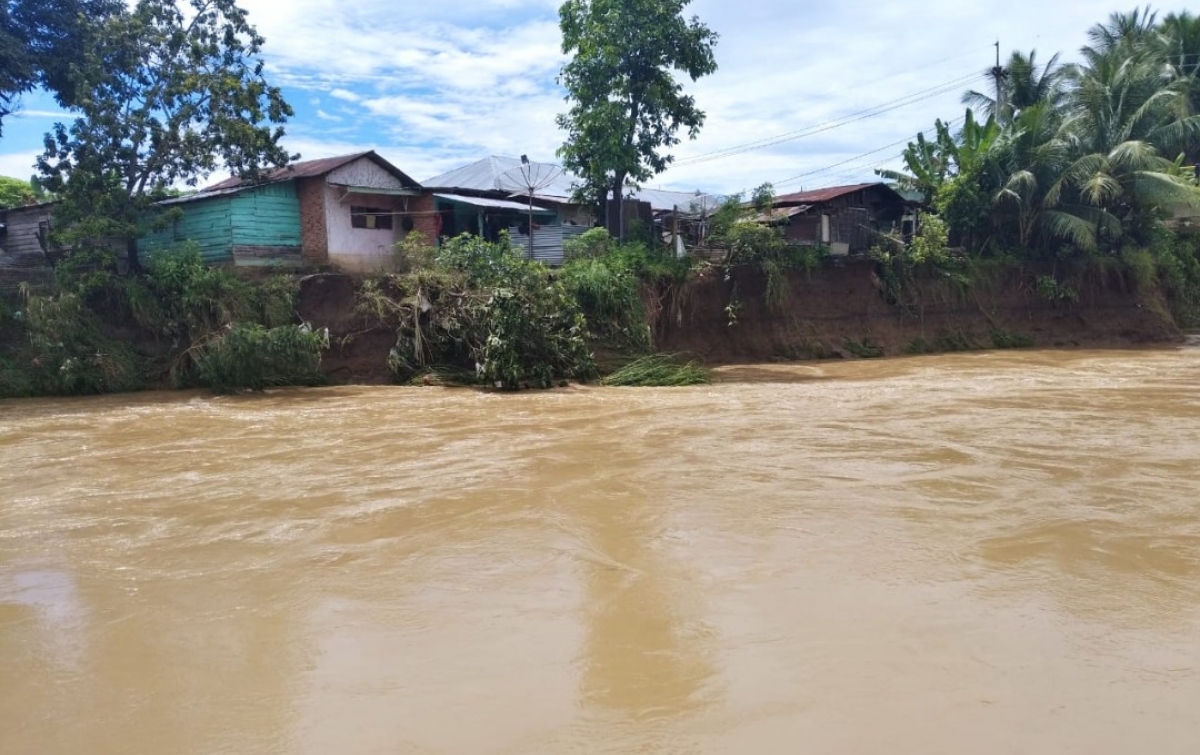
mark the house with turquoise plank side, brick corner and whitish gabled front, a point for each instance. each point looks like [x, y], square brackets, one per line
[346, 212]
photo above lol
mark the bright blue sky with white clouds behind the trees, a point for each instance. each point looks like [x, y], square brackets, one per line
[433, 86]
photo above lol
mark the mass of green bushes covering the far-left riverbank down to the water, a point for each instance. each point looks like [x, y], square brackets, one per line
[110, 333]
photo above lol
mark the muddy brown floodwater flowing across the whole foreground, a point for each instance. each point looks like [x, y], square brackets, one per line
[985, 554]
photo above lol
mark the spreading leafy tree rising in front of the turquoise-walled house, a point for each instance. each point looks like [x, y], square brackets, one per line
[167, 97]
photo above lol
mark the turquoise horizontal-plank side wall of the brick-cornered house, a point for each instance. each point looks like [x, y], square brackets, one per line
[262, 217]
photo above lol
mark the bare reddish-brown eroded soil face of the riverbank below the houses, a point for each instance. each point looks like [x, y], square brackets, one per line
[836, 311]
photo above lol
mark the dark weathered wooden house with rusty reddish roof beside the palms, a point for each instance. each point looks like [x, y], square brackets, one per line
[843, 218]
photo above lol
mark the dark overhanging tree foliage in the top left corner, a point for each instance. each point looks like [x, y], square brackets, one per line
[41, 41]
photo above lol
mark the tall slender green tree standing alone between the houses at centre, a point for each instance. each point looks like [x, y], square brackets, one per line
[627, 105]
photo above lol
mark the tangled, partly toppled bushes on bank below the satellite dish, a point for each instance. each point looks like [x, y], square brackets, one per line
[477, 313]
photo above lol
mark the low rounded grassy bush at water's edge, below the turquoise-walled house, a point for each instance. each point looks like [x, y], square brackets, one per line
[253, 357]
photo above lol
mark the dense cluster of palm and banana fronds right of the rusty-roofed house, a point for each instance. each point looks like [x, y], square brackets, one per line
[1081, 159]
